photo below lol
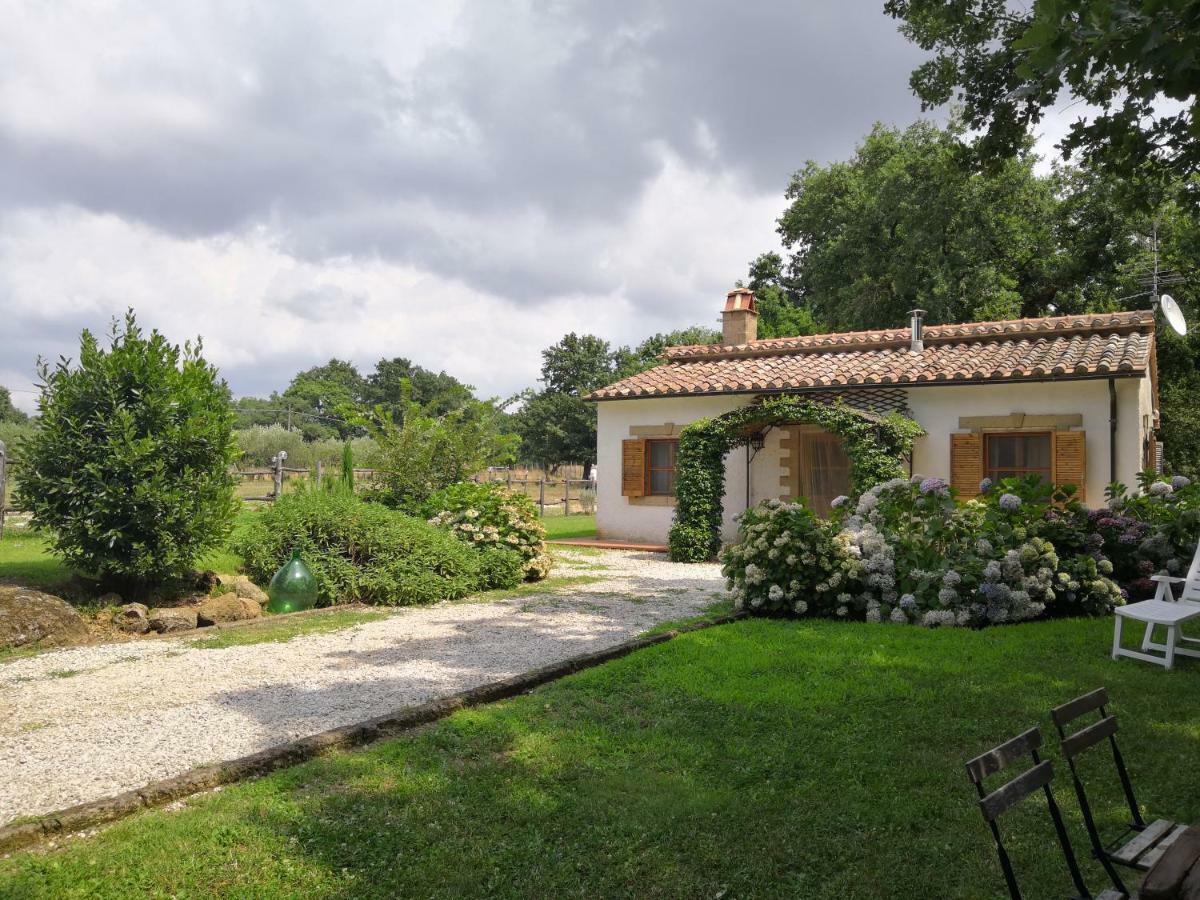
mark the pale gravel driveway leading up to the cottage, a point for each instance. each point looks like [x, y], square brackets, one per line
[77, 725]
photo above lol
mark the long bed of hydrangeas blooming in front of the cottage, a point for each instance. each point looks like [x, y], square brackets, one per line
[909, 554]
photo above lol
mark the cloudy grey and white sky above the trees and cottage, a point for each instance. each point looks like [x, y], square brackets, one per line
[457, 183]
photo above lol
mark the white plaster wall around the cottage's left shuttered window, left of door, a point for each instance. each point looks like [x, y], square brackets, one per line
[617, 518]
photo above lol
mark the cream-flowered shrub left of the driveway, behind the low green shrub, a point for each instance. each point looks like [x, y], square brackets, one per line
[493, 518]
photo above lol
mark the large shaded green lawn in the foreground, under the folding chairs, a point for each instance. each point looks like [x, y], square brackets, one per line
[761, 759]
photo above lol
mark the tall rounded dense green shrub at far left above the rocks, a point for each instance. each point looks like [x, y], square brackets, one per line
[129, 470]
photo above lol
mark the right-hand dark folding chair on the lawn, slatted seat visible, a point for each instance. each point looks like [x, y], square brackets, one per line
[1141, 845]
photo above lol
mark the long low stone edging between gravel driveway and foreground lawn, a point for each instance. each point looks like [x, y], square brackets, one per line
[205, 778]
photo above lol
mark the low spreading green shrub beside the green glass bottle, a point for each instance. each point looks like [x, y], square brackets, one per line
[359, 551]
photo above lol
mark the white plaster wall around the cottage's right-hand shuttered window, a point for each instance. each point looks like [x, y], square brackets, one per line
[939, 407]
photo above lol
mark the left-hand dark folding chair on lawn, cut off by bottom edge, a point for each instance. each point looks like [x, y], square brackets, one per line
[1004, 799]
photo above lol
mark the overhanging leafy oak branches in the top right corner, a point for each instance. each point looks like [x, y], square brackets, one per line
[1133, 61]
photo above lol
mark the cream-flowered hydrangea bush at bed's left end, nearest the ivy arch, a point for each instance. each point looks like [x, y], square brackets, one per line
[789, 561]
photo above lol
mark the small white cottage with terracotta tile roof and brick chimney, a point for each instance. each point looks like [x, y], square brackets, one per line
[1073, 399]
